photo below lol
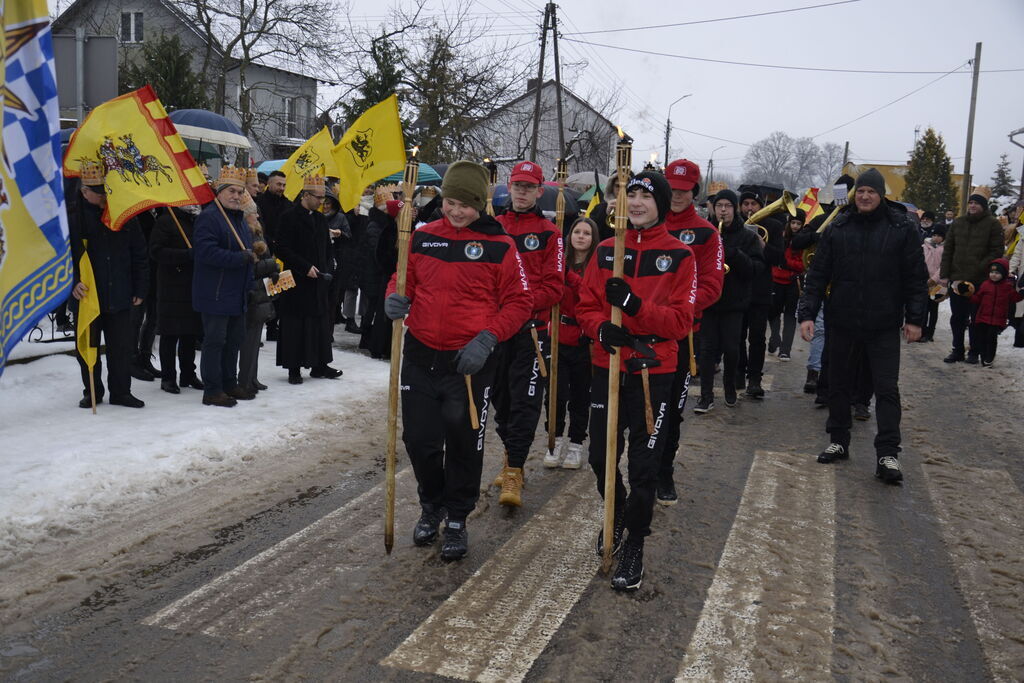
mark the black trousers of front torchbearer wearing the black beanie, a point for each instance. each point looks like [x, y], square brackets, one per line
[646, 450]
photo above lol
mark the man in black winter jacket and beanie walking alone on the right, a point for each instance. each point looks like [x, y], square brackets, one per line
[871, 259]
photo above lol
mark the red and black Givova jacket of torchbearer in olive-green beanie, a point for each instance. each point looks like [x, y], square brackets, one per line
[464, 281]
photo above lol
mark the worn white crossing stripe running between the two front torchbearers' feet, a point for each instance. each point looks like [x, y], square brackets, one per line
[500, 621]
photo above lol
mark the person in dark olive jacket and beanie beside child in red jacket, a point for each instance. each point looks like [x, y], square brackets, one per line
[973, 242]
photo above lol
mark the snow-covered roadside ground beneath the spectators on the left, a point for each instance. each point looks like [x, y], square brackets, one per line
[63, 467]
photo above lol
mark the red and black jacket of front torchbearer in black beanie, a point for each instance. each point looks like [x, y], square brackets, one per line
[662, 272]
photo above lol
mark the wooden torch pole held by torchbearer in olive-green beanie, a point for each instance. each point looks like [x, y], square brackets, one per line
[405, 234]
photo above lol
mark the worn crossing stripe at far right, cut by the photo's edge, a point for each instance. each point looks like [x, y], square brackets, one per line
[985, 534]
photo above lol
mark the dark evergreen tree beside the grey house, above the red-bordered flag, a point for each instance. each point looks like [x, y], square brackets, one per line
[165, 65]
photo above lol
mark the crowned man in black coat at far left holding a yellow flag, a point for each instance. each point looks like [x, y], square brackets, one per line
[122, 277]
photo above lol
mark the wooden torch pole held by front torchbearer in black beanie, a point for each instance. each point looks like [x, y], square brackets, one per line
[624, 160]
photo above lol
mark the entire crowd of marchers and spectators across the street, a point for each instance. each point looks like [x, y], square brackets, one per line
[716, 295]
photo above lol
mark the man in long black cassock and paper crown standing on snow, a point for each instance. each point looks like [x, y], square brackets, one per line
[305, 246]
